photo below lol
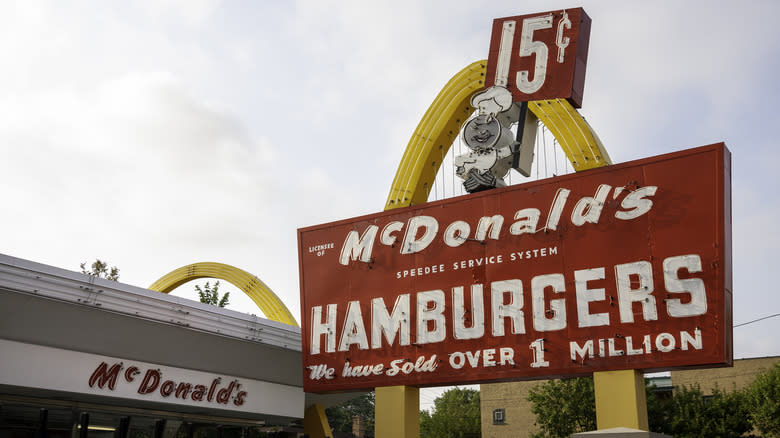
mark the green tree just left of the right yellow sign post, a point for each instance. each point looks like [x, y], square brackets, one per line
[563, 407]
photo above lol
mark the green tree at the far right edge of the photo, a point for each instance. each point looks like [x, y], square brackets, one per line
[763, 399]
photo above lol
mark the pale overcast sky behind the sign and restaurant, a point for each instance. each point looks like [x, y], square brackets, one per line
[154, 134]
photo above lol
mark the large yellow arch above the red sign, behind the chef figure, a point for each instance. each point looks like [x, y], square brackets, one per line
[439, 126]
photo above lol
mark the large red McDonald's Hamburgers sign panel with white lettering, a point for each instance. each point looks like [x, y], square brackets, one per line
[633, 272]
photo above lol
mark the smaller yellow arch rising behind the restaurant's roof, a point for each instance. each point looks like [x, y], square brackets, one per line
[273, 308]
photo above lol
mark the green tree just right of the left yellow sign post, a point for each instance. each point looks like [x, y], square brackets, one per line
[455, 414]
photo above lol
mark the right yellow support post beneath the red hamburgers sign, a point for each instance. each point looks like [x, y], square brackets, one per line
[620, 399]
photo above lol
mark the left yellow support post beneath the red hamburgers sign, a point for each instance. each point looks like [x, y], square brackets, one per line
[397, 412]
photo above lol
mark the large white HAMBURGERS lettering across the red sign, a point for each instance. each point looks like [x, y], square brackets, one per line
[546, 314]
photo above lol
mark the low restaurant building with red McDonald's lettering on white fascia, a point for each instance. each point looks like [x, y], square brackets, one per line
[84, 356]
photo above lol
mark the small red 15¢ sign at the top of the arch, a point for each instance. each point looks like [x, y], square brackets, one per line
[540, 56]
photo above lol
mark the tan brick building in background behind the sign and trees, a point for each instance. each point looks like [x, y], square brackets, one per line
[506, 411]
